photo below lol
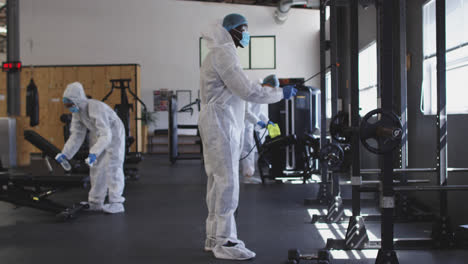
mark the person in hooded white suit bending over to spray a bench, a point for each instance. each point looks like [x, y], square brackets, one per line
[107, 147]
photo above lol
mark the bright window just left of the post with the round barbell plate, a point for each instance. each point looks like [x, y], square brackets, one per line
[368, 79]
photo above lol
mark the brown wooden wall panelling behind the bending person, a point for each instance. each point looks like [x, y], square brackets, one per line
[51, 82]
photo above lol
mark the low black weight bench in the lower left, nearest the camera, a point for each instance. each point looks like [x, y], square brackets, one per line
[34, 192]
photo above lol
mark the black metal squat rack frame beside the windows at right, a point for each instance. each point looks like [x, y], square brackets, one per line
[389, 14]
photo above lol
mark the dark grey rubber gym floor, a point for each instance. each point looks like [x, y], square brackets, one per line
[164, 223]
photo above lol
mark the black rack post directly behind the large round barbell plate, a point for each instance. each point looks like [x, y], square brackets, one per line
[385, 12]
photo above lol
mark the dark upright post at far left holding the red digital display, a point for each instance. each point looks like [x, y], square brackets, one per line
[13, 55]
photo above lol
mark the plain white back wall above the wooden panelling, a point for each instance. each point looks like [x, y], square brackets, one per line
[162, 36]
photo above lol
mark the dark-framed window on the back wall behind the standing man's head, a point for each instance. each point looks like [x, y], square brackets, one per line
[260, 54]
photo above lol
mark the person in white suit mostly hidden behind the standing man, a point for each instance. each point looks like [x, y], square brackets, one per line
[254, 120]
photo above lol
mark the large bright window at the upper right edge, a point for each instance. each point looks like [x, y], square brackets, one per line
[456, 57]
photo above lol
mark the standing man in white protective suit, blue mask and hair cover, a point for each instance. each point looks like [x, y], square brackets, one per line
[224, 90]
